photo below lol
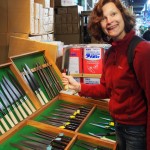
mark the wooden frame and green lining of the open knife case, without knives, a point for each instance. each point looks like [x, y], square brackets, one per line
[54, 102]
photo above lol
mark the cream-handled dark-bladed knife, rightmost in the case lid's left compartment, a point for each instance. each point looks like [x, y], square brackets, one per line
[21, 91]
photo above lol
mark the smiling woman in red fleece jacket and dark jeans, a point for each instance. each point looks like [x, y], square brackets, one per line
[110, 21]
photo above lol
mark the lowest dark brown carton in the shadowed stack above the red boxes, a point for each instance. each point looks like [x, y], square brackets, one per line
[68, 38]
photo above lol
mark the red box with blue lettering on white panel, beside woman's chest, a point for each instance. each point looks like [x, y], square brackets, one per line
[93, 60]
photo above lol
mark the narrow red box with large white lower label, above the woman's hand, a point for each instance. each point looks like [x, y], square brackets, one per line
[75, 60]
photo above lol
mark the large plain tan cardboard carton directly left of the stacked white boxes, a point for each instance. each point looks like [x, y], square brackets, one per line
[21, 16]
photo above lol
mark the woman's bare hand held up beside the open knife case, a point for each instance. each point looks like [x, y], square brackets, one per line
[70, 83]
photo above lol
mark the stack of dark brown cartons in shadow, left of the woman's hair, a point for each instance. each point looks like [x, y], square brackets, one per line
[67, 24]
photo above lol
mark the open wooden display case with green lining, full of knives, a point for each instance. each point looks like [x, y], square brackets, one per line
[33, 78]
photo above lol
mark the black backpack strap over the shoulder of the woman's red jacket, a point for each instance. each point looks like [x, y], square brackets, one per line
[135, 40]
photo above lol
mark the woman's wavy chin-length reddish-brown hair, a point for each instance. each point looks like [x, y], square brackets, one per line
[95, 16]
